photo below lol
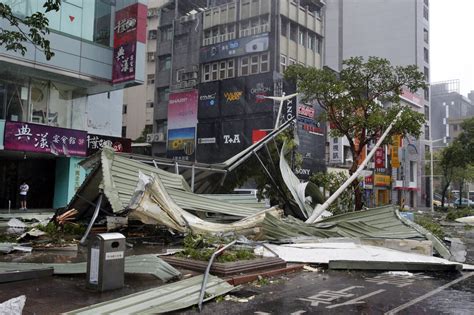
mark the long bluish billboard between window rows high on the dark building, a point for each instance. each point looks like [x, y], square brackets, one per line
[235, 48]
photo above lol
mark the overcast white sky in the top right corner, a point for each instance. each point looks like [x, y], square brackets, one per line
[452, 42]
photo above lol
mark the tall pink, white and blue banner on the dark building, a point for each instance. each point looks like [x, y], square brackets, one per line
[182, 122]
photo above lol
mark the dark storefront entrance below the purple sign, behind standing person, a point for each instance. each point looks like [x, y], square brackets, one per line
[39, 174]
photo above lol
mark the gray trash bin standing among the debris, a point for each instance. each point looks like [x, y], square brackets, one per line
[106, 262]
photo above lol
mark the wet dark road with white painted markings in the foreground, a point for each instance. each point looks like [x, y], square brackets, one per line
[343, 292]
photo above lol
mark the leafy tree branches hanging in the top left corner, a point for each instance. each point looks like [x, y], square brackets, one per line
[27, 29]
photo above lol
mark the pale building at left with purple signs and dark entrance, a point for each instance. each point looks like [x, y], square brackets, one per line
[53, 113]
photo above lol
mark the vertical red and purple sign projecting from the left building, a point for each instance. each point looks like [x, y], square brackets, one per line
[129, 34]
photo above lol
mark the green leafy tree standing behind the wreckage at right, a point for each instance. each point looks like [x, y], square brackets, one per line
[352, 101]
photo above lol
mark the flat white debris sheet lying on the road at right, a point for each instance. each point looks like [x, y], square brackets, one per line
[323, 253]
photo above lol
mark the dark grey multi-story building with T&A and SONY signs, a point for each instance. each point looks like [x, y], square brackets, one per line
[217, 63]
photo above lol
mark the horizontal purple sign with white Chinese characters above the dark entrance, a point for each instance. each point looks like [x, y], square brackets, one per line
[30, 137]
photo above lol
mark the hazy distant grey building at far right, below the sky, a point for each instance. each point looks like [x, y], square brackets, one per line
[449, 109]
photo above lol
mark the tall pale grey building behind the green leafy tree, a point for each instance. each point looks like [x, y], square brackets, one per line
[398, 31]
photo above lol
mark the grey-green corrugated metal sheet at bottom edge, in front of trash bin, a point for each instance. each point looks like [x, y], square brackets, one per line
[167, 298]
